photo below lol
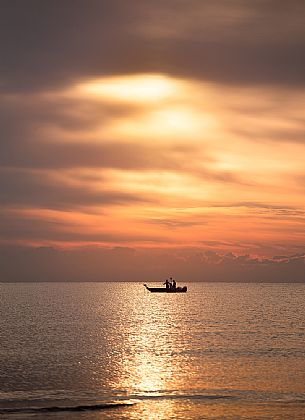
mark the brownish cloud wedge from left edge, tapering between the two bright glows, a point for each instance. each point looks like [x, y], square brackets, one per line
[23, 115]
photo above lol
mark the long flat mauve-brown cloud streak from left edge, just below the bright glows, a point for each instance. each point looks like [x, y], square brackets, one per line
[92, 155]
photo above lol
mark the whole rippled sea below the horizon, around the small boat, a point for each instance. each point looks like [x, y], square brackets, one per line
[116, 351]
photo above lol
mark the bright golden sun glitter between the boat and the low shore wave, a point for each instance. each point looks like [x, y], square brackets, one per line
[152, 351]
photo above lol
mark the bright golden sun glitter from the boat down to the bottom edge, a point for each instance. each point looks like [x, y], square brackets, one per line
[149, 366]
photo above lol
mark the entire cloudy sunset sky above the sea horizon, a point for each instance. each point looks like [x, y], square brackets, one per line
[151, 138]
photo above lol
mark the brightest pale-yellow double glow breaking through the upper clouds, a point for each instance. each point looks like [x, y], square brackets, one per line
[166, 106]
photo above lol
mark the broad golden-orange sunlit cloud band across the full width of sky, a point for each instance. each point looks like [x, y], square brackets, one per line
[153, 160]
